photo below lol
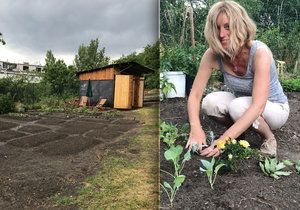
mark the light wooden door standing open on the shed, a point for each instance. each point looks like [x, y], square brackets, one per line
[123, 92]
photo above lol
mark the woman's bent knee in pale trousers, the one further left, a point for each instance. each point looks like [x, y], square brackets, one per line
[216, 103]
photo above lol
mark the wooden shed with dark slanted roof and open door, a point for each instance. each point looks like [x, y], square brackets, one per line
[121, 84]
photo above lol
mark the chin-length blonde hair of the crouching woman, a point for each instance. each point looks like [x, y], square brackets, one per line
[242, 28]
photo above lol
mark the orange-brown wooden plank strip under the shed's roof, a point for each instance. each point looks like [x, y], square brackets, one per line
[104, 74]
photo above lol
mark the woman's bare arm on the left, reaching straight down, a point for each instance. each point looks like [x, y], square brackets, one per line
[207, 64]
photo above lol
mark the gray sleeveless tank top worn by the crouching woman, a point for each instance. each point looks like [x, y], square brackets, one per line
[243, 85]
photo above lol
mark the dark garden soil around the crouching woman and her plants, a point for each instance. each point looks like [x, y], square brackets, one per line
[248, 188]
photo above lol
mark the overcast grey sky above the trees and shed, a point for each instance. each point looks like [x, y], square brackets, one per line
[31, 27]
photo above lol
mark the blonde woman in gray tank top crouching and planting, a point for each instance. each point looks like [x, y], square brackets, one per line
[256, 98]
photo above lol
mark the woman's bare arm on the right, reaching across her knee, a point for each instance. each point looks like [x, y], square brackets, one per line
[262, 63]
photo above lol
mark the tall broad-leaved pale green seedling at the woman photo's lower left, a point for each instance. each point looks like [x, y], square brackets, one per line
[173, 154]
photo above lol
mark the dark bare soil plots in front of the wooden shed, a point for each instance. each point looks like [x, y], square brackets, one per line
[43, 156]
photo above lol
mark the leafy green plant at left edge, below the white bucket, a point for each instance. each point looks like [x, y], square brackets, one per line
[168, 133]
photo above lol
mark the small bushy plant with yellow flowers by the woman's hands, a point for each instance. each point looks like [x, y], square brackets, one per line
[233, 152]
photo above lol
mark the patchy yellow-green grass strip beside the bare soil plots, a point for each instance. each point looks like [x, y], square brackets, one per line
[125, 180]
